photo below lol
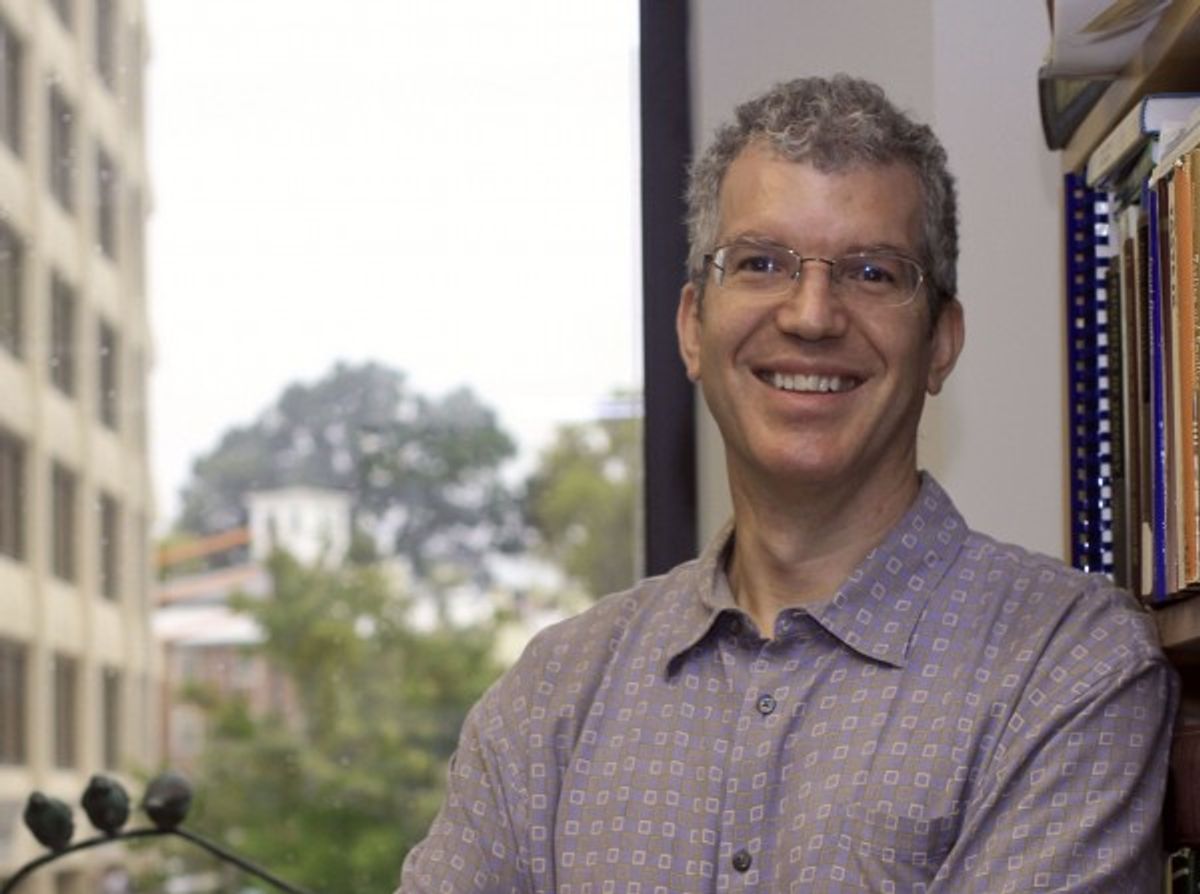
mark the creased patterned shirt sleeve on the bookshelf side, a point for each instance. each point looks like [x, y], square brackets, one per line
[1072, 799]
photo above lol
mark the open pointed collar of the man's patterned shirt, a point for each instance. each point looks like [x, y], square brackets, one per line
[877, 609]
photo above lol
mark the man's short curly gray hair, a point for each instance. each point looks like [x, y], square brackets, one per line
[833, 124]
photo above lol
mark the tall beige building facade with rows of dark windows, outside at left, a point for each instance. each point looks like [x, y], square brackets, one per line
[79, 668]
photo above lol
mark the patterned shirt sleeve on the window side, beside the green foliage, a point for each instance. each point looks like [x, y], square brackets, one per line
[475, 844]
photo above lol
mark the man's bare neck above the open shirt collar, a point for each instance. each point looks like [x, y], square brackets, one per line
[797, 549]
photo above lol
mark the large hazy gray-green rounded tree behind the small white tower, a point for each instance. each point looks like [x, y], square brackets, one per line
[423, 471]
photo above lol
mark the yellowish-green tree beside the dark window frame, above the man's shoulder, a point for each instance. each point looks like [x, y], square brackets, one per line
[584, 502]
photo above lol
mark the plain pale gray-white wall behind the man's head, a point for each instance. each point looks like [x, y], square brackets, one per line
[995, 437]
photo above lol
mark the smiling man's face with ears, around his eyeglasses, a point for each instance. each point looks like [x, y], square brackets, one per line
[881, 361]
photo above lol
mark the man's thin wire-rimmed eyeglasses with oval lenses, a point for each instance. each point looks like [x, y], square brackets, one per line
[871, 279]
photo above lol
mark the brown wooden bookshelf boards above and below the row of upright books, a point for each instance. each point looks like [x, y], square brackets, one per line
[1169, 61]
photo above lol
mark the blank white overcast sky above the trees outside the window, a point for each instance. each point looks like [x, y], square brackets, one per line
[449, 189]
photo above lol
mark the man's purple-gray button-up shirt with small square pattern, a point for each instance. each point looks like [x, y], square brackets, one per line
[962, 716]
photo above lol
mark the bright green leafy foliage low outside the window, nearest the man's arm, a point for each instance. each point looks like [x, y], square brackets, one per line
[334, 797]
